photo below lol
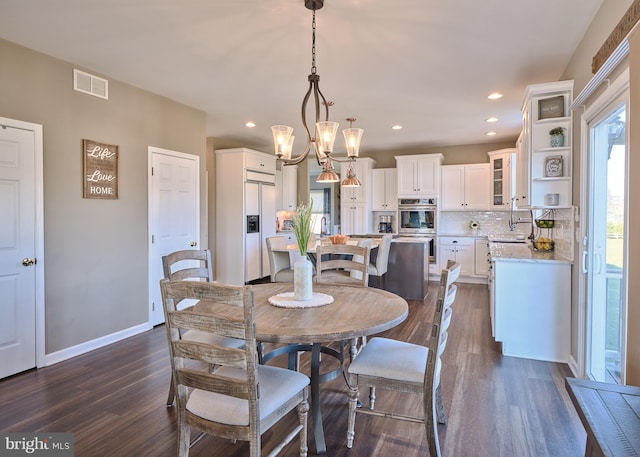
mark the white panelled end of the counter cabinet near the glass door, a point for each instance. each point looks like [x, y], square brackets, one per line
[532, 309]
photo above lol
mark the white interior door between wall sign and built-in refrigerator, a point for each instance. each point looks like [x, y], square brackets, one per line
[174, 215]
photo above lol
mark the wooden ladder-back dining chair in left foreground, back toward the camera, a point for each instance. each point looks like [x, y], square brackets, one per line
[241, 399]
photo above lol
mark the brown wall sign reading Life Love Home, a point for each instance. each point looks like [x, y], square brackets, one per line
[100, 170]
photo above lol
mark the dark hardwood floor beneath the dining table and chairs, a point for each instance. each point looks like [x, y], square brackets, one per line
[113, 400]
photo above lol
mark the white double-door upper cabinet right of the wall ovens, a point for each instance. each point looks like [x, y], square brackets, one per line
[464, 187]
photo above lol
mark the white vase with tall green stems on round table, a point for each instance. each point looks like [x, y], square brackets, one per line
[303, 269]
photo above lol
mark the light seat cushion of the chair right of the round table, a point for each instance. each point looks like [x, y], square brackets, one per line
[391, 359]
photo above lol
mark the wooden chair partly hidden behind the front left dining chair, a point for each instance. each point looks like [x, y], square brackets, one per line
[192, 265]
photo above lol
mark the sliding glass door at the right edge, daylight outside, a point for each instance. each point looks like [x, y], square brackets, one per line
[606, 279]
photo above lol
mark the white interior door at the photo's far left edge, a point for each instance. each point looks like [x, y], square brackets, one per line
[18, 232]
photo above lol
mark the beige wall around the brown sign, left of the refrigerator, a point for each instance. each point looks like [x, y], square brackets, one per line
[96, 274]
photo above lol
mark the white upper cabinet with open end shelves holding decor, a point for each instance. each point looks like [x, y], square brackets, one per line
[547, 169]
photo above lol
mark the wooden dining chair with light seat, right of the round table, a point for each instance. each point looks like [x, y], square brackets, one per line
[404, 367]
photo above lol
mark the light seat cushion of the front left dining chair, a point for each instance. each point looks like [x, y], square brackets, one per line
[276, 386]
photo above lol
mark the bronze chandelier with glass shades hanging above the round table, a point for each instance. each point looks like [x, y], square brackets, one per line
[325, 130]
